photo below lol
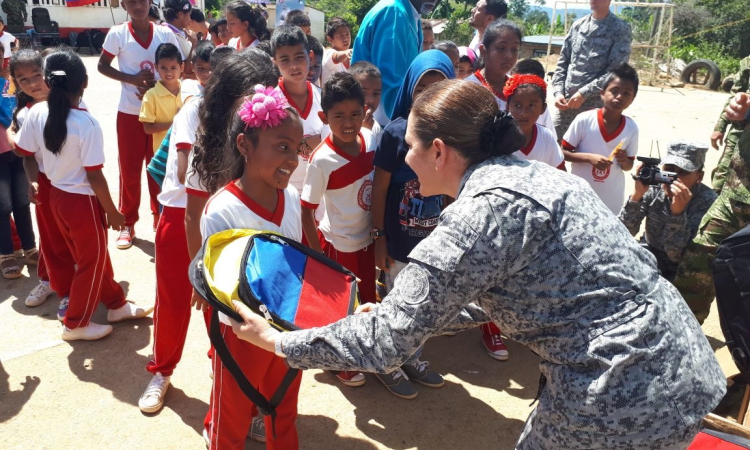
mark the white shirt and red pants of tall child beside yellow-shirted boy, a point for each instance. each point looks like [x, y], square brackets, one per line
[135, 147]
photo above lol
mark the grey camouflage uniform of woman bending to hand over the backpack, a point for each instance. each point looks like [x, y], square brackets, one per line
[535, 250]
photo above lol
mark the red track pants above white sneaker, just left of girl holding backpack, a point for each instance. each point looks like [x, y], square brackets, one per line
[173, 292]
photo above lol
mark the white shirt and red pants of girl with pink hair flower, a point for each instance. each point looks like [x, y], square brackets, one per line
[230, 411]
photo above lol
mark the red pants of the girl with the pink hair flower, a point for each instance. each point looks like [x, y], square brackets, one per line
[230, 411]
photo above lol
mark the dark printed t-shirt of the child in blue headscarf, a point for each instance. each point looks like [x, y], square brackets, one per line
[409, 217]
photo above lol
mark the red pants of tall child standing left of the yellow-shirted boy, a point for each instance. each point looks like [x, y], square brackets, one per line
[134, 149]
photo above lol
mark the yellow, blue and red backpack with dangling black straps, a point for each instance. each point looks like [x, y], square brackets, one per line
[291, 285]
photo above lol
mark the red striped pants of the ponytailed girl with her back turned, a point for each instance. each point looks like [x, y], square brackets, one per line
[83, 225]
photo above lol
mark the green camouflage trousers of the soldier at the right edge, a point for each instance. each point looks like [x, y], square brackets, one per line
[694, 277]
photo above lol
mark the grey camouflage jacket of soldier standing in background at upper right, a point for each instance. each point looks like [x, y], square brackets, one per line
[591, 49]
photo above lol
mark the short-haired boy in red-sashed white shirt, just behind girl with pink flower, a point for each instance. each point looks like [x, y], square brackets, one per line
[340, 177]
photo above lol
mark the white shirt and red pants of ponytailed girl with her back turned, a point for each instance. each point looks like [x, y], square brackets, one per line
[75, 208]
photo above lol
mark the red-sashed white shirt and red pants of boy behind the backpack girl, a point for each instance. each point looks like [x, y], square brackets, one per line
[344, 183]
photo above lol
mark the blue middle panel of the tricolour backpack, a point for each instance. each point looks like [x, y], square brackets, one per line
[275, 272]
